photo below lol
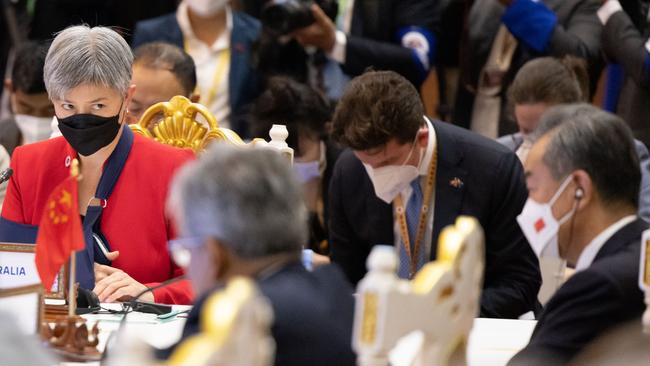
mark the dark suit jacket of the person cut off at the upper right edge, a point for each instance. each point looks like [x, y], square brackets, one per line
[624, 44]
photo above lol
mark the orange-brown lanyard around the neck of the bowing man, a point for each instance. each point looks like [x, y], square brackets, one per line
[413, 251]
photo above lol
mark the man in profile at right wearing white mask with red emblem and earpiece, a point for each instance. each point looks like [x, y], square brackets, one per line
[583, 178]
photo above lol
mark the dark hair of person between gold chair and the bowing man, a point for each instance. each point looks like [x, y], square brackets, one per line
[301, 108]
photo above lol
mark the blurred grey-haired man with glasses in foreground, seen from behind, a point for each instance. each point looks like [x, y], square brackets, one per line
[252, 222]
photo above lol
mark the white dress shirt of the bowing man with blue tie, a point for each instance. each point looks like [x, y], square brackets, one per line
[406, 195]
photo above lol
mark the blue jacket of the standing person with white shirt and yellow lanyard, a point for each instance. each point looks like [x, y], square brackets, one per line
[242, 79]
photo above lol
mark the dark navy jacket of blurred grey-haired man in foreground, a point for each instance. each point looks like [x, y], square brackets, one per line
[312, 316]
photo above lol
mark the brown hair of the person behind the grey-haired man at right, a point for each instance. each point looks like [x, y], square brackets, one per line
[550, 80]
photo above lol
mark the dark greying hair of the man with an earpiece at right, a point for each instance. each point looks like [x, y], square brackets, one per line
[582, 136]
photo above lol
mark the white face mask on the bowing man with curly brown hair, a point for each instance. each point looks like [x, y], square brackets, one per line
[390, 180]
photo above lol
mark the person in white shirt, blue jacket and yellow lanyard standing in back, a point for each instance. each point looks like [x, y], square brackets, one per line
[220, 41]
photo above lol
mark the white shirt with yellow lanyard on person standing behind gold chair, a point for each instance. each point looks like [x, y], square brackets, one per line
[206, 58]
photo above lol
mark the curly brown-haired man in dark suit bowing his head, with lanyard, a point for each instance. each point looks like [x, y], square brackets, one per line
[398, 158]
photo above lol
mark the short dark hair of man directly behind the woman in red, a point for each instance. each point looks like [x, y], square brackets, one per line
[165, 56]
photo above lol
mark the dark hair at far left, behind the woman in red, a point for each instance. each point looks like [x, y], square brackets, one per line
[27, 72]
